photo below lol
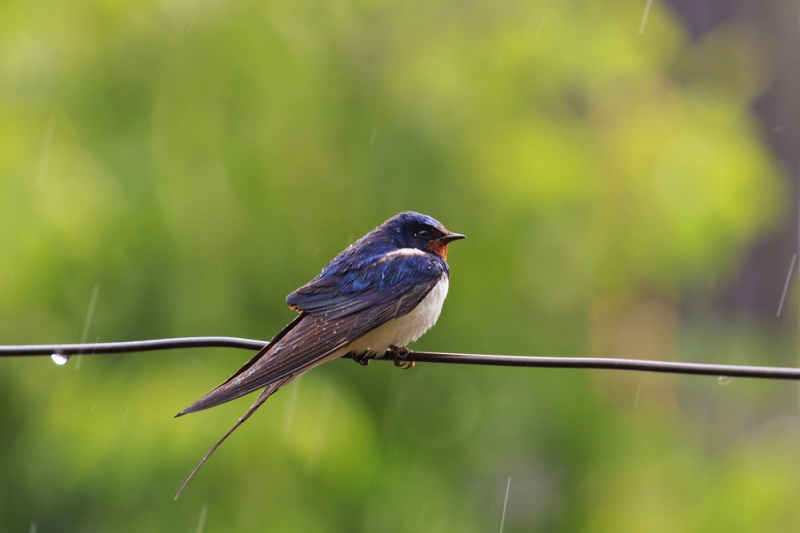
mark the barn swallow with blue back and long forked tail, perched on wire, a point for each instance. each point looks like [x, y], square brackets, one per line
[381, 293]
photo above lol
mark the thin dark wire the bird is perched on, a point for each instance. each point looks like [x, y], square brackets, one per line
[420, 357]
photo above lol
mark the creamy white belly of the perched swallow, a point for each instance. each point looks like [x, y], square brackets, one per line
[408, 328]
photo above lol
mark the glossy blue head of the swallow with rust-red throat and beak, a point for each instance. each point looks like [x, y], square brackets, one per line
[415, 230]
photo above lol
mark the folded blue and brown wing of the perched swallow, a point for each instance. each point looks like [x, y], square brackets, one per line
[339, 306]
